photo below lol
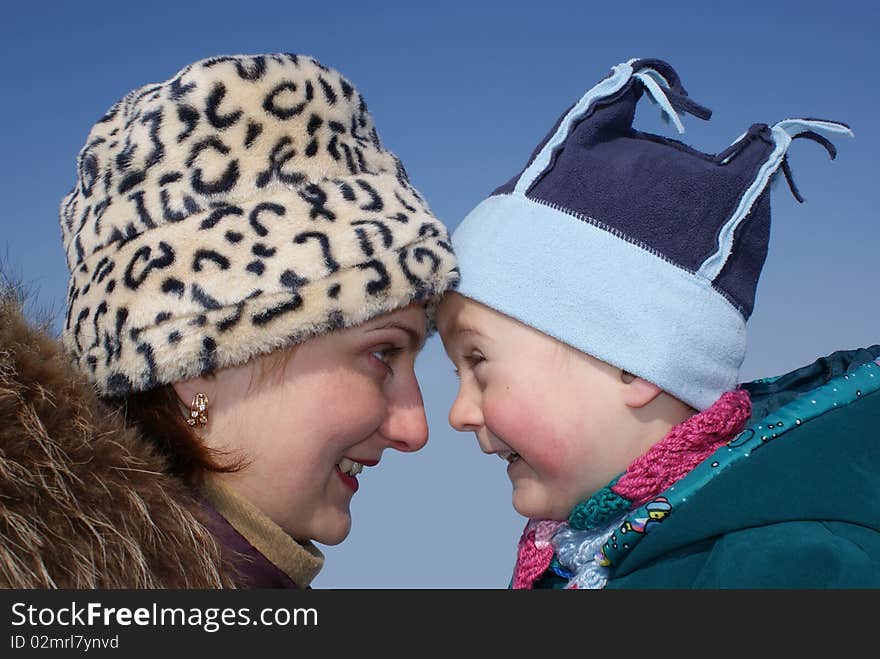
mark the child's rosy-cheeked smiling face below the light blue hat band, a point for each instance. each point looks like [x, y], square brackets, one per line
[552, 412]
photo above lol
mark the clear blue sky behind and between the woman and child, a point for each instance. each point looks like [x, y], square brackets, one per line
[462, 91]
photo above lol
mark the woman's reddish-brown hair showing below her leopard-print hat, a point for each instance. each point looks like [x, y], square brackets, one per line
[158, 414]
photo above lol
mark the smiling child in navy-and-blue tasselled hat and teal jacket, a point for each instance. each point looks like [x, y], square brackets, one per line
[598, 333]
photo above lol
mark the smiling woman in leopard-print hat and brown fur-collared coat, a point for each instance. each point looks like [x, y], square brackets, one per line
[252, 276]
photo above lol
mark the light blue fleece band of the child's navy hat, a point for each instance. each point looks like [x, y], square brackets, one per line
[599, 293]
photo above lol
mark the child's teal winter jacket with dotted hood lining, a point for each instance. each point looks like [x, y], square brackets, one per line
[798, 508]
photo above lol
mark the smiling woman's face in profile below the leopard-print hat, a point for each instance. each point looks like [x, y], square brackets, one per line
[308, 422]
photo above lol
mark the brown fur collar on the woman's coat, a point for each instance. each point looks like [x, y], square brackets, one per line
[85, 502]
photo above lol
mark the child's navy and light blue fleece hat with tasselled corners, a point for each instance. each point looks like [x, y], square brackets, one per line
[632, 247]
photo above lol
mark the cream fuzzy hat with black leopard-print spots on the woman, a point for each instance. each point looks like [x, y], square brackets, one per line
[242, 206]
